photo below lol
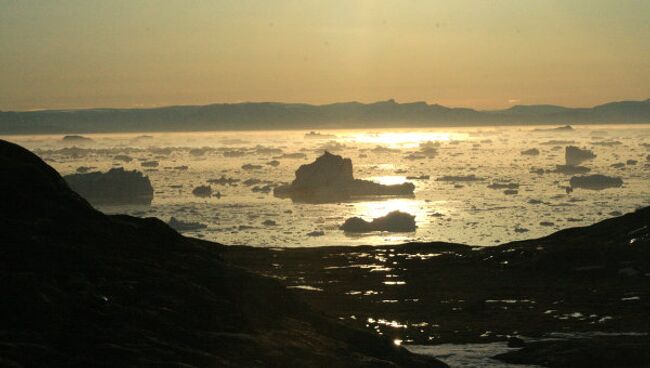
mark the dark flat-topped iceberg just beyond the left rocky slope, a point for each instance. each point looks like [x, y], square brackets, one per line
[114, 187]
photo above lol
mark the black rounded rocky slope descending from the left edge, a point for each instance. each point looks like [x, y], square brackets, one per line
[82, 289]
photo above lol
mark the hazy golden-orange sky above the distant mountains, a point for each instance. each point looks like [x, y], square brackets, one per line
[484, 54]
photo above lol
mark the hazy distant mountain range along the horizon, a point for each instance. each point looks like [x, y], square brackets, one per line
[272, 115]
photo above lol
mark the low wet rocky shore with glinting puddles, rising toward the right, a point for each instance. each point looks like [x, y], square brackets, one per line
[578, 298]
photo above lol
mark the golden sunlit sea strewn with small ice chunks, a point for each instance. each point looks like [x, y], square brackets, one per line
[511, 196]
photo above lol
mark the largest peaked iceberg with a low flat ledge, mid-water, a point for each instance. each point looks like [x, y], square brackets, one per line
[330, 178]
